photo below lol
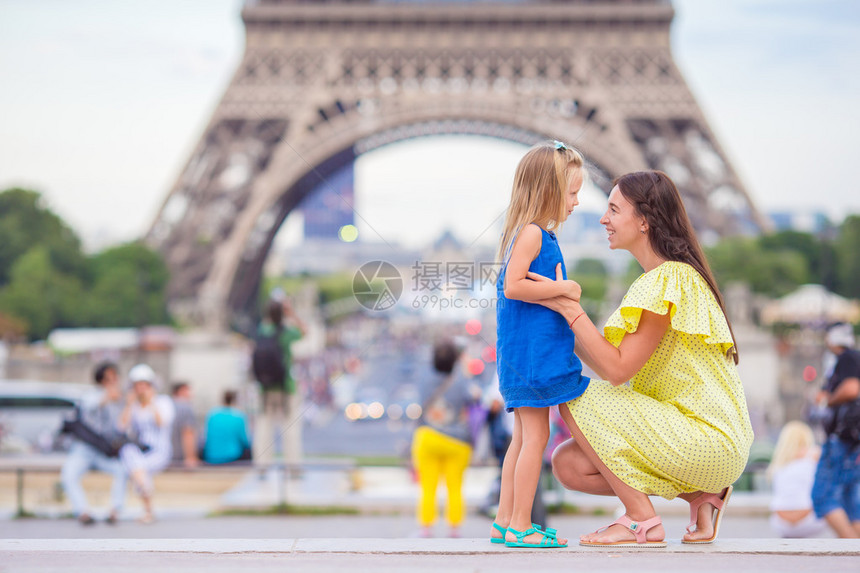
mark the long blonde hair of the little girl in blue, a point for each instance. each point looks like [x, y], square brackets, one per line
[538, 194]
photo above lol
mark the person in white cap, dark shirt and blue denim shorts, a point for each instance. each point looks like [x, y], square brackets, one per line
[836, 490]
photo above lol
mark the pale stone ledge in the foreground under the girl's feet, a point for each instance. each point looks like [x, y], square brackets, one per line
[454, 555]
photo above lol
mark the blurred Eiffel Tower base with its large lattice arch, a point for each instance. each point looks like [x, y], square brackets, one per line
[322, 82]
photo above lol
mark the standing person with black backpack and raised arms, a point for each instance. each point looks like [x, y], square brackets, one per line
[272, 362]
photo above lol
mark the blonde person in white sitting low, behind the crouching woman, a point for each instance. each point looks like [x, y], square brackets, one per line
[791, 472]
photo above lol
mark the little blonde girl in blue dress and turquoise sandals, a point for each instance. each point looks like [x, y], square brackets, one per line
[536, 364]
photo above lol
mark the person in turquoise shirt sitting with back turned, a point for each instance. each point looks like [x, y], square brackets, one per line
[226, 433]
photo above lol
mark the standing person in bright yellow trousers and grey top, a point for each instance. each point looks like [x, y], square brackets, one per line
[441, 444]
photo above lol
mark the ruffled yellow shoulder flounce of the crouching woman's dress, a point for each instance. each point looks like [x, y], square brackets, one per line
[693, 309]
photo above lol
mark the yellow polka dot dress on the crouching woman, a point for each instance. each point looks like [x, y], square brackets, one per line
[681, 423]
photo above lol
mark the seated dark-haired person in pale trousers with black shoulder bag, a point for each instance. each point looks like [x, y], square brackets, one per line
[100, 410]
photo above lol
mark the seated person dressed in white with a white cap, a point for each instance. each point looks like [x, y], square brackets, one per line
[150, 416]
